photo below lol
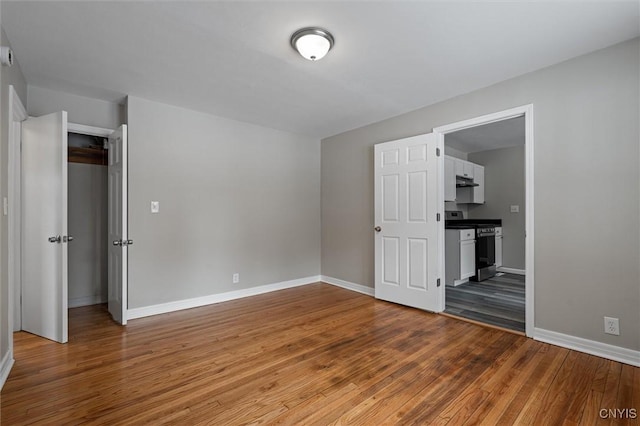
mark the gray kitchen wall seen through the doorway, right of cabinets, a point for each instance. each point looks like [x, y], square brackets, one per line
[504, 185]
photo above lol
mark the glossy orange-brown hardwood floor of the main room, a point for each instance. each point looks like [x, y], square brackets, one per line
[315, 354]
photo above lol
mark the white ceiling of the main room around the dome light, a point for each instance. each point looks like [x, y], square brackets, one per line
[233, 59]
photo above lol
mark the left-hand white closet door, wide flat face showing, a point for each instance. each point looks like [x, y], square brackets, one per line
[44, 224]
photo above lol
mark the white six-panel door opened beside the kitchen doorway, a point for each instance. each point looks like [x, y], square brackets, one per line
[407, 233]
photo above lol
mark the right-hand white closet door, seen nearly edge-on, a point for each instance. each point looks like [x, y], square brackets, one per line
[118, 236]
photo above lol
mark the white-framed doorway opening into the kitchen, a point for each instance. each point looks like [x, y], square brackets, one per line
[488, 205]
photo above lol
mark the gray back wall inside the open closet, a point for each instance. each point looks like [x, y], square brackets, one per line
[88, 225]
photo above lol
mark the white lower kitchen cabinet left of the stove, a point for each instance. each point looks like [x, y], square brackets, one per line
[460, 256]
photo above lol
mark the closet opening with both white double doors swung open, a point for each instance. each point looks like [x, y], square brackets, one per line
[77, 175]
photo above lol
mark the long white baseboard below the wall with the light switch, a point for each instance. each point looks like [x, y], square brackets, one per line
[164, 308]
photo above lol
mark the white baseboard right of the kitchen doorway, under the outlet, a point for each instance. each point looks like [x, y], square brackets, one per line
[604, 350]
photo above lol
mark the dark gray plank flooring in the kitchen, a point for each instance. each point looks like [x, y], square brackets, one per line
[496, 301]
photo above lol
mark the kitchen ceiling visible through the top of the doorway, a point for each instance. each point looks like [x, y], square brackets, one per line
[500, 134]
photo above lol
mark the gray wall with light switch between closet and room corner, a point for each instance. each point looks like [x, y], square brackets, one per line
[234, 197]
